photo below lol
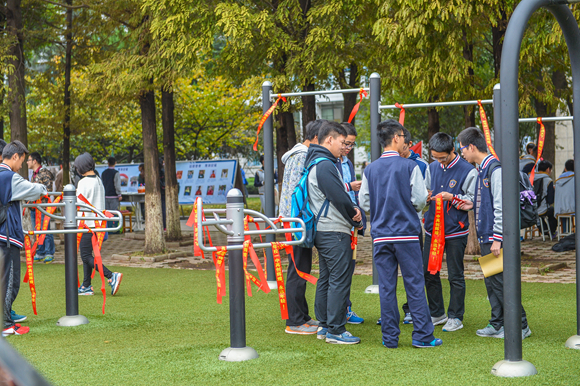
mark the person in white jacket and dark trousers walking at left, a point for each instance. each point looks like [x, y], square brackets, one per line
[91, 187]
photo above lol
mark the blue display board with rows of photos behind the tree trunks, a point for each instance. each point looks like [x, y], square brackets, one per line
[210, 180]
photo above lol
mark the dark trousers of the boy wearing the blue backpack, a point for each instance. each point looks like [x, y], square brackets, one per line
[335, 256]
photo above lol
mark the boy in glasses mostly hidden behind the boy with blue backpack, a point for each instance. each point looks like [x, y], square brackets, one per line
[346, 169]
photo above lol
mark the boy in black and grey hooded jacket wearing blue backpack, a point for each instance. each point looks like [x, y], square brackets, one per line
[338, 215]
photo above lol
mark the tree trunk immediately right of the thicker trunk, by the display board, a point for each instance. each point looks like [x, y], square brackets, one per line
[171, 187]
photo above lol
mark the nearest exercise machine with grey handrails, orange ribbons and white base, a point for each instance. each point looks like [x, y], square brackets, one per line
[233, 226]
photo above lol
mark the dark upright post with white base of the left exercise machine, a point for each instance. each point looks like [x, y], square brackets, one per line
[72, 317]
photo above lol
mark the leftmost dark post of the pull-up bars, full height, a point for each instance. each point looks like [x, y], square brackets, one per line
[269, 201]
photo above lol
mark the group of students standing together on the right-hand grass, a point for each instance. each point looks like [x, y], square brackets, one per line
[394, 190]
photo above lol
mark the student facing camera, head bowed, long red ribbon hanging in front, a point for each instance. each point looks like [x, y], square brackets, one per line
[450, 177]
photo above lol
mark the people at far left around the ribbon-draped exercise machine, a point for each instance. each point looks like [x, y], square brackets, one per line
[14, 192]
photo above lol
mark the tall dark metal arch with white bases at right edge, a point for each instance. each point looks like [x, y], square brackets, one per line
[513, 364]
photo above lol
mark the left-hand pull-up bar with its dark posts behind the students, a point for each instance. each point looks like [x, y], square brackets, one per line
[267, 96]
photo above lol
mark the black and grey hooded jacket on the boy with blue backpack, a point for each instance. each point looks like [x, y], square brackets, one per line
[325, 183]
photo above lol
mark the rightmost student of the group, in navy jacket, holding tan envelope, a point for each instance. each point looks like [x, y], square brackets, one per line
[487, 206]
